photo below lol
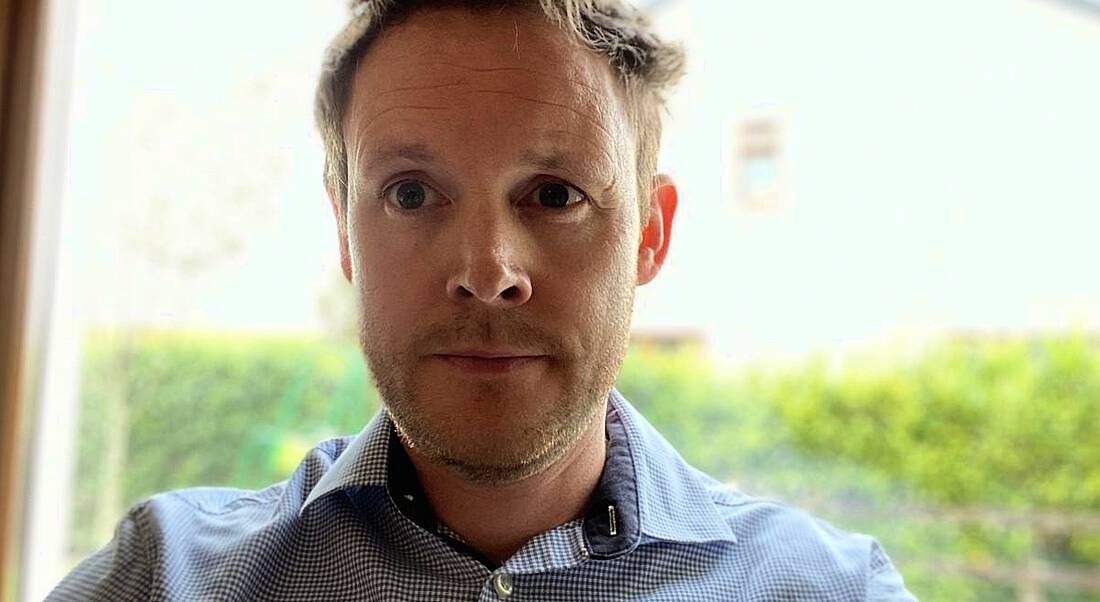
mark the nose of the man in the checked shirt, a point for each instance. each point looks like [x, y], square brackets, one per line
[490, 269]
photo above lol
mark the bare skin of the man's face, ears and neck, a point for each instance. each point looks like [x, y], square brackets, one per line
[483, 112]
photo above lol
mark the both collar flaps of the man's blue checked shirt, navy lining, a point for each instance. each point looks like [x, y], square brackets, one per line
[653, 490]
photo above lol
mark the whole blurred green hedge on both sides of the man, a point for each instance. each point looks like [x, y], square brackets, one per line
[1005, 424]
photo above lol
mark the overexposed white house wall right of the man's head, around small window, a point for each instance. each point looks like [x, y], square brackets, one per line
[943, 165]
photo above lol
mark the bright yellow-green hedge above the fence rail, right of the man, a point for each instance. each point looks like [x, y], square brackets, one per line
[1011, 424]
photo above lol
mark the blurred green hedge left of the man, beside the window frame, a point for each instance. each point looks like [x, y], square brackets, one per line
[206, 410]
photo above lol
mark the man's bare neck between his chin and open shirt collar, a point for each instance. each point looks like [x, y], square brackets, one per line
[498, 520]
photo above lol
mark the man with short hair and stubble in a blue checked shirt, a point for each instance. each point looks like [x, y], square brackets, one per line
[491, 169]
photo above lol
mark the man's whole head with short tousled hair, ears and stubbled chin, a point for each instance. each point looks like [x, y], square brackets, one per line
[492, 171]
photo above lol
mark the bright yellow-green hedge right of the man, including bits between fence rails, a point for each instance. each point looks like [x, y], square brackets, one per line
[998, 424]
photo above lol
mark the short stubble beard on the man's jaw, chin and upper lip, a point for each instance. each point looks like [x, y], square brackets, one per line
[529, 446]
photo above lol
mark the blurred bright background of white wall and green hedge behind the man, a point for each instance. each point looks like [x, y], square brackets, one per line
[882, 302]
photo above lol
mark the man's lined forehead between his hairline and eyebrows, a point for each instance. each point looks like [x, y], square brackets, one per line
[483, 73]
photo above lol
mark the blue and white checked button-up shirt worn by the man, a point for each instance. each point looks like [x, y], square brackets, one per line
[334, 532]
